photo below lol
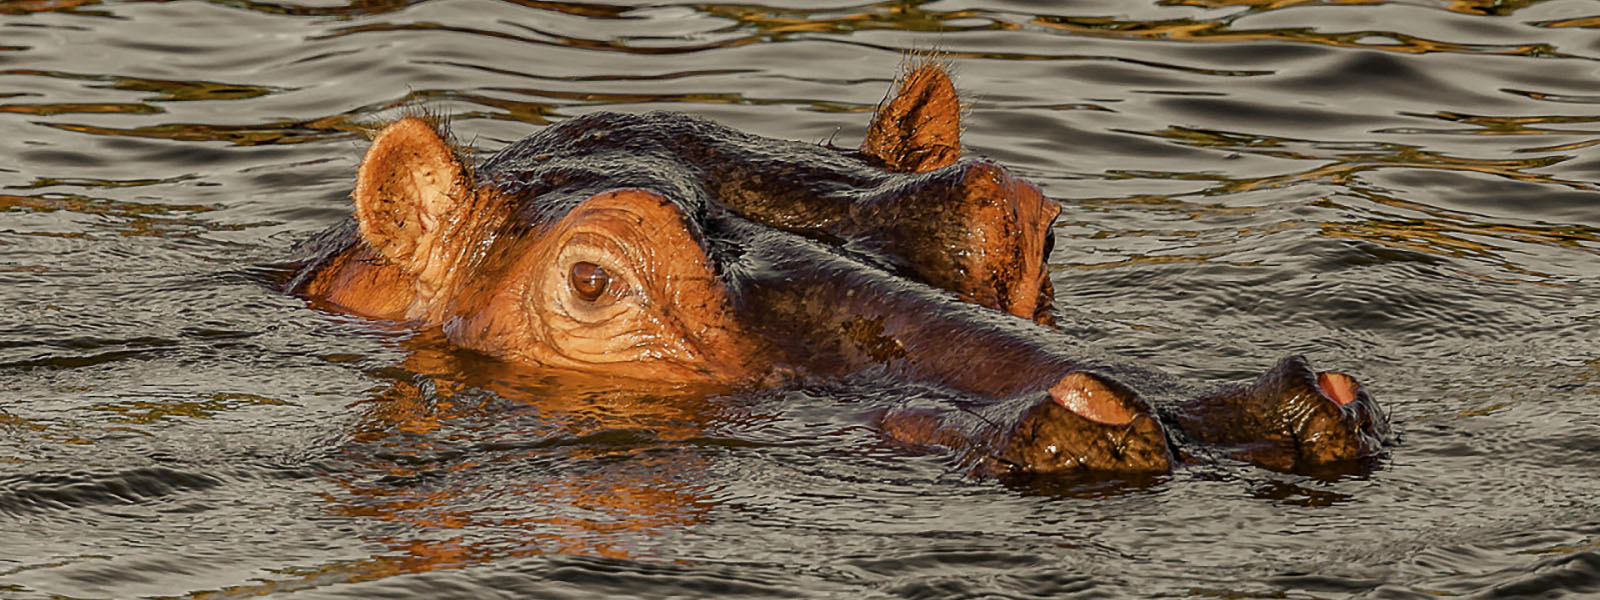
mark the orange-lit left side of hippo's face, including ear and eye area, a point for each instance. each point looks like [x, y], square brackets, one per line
[442, 262]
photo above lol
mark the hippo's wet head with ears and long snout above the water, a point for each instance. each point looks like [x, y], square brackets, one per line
[665, 249]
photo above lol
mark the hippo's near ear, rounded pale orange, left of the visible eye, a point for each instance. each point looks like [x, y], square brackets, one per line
[406, 191]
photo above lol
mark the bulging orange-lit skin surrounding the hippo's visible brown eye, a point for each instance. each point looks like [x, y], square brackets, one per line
[684, 335]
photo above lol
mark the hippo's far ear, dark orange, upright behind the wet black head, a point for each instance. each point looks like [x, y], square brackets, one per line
[921, 129]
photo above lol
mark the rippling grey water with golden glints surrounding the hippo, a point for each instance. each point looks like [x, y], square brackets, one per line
[1401, 190]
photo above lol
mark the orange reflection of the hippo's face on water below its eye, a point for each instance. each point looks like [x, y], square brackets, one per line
[622, 495]
